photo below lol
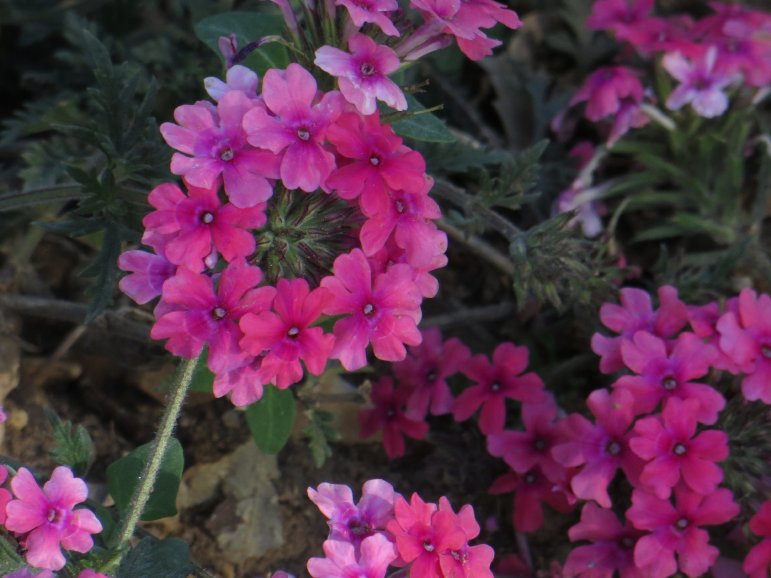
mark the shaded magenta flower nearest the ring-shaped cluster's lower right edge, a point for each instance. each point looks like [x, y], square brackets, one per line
[426, 369]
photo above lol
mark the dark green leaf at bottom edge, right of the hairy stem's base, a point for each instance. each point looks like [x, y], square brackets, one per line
[169, 558]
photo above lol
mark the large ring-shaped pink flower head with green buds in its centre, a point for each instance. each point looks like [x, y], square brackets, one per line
[252, 165]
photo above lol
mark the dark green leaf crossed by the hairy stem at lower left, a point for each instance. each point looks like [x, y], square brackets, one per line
[123, 476]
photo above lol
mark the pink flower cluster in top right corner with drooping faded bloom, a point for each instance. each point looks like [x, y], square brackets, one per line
[725, 53]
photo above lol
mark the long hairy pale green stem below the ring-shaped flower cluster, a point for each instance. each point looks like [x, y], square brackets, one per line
[142, 492]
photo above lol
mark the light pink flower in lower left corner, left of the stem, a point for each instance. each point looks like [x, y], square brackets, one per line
[48, 518]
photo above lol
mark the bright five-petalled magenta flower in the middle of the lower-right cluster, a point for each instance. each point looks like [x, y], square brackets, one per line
[673, 453]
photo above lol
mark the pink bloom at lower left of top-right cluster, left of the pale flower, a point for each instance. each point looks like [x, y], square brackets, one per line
[606, 89]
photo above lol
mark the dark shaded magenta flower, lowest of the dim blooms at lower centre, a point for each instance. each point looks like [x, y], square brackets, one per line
[530, 490]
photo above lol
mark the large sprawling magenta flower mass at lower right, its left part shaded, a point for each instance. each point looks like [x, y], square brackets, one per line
[657, 424]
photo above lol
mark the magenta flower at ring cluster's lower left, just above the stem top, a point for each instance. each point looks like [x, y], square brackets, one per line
[200, 317]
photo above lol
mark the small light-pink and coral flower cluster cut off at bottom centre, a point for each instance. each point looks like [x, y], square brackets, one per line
[383, 529]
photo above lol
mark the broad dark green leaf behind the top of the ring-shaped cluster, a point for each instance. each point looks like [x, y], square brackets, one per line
[248, 27]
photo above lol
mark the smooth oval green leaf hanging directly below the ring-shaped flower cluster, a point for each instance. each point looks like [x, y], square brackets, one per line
[271, 419]
